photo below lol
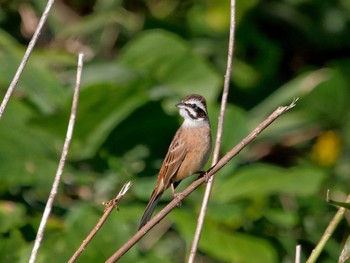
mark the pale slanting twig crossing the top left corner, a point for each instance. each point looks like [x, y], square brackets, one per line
[26, 56]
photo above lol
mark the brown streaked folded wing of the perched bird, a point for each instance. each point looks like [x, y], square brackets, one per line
[172, 161]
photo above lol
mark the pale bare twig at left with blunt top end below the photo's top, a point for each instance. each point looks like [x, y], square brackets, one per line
[61, 164]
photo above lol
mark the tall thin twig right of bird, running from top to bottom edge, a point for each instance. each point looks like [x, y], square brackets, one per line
[218, 136]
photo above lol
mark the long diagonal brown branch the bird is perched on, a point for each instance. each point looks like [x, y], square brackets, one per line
[212, 171]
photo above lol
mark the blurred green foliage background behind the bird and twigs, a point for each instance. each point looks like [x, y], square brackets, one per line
[142, 57]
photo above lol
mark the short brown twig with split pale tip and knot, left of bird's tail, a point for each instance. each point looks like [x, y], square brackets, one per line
[109, 208]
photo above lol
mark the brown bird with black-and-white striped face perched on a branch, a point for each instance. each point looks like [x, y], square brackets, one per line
[188, 152]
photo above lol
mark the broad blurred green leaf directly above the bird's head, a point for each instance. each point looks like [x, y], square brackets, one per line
[168, 61]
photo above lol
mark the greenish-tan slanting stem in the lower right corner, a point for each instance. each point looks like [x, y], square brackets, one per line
[328, 232]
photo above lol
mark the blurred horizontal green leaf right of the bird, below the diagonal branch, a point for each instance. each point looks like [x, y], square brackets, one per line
[263, 179]
